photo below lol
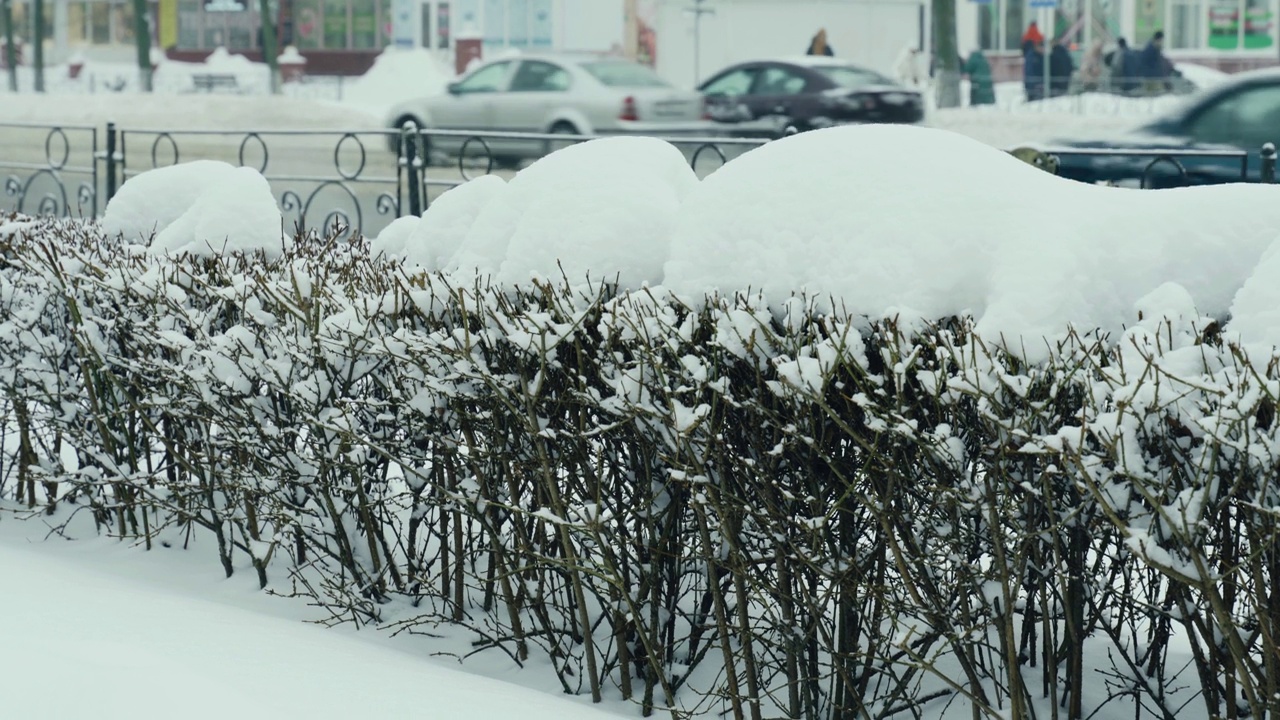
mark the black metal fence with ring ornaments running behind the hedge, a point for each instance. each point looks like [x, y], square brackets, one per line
[360, 181]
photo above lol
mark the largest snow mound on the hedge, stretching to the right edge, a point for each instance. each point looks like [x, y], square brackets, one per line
[900, 221]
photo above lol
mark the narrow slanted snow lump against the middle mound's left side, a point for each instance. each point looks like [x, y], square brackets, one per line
[447, 222]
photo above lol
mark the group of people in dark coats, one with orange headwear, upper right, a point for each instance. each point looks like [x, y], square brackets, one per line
[1122, 70]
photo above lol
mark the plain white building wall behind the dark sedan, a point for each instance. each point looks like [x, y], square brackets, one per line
[868, 33]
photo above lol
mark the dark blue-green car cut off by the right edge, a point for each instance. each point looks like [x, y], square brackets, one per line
[1215, 136]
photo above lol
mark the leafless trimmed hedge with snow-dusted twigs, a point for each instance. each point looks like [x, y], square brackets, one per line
[853, 518]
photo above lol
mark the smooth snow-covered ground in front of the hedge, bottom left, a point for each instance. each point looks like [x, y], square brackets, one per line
[94, 625]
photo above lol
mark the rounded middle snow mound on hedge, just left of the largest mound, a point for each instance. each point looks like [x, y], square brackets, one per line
[604, 208]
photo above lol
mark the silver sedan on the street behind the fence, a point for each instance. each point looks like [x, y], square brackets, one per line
[573, 95]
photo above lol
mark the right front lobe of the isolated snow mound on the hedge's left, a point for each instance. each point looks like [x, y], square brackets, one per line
[237, 215]
